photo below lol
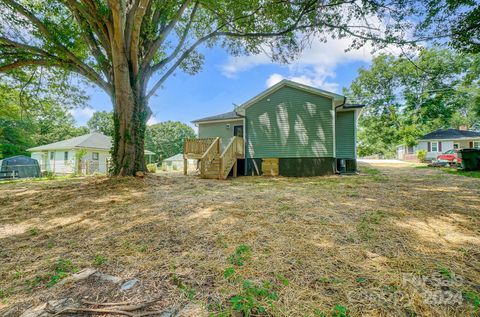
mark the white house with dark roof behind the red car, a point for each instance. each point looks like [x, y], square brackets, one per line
[440, 141]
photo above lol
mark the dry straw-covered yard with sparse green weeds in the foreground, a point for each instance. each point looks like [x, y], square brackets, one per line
[393, 241]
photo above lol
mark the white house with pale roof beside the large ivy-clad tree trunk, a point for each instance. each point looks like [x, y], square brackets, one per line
[61, 157]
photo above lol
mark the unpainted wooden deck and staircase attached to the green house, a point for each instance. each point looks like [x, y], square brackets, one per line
[214, 163]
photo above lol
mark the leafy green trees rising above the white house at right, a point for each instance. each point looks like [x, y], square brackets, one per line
[407, 98]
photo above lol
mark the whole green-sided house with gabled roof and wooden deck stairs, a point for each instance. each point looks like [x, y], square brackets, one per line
[290, 129]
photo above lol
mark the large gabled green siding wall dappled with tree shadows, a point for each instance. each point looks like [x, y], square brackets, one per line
[290, 123]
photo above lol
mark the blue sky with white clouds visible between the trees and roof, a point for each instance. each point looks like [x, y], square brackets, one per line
[225, 80]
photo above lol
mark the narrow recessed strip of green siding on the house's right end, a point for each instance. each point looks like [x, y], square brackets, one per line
[345, 134]
